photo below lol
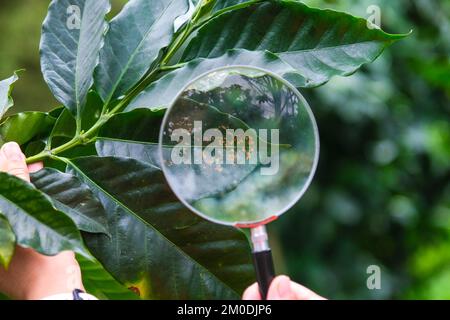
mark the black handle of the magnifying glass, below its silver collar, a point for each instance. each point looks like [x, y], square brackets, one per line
[265, 271]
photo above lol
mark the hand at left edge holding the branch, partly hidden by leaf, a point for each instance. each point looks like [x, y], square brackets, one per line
[33, 276]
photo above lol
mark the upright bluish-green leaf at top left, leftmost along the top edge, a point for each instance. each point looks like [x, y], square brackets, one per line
[72, 36]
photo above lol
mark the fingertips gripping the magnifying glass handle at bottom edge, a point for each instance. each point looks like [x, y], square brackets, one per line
[282, 288]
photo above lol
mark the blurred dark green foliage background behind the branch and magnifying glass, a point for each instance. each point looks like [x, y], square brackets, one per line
[381, 195]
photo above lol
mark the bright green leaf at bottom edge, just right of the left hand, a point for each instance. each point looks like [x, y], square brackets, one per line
[98, 282]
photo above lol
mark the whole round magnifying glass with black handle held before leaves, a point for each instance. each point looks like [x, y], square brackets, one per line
[239, 146]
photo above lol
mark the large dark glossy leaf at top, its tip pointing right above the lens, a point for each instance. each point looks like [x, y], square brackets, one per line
[318, 43]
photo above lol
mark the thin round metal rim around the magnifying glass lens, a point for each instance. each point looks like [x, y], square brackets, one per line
[243, 224]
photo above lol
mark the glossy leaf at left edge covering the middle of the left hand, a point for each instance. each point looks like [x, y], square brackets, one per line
[36, 223]
